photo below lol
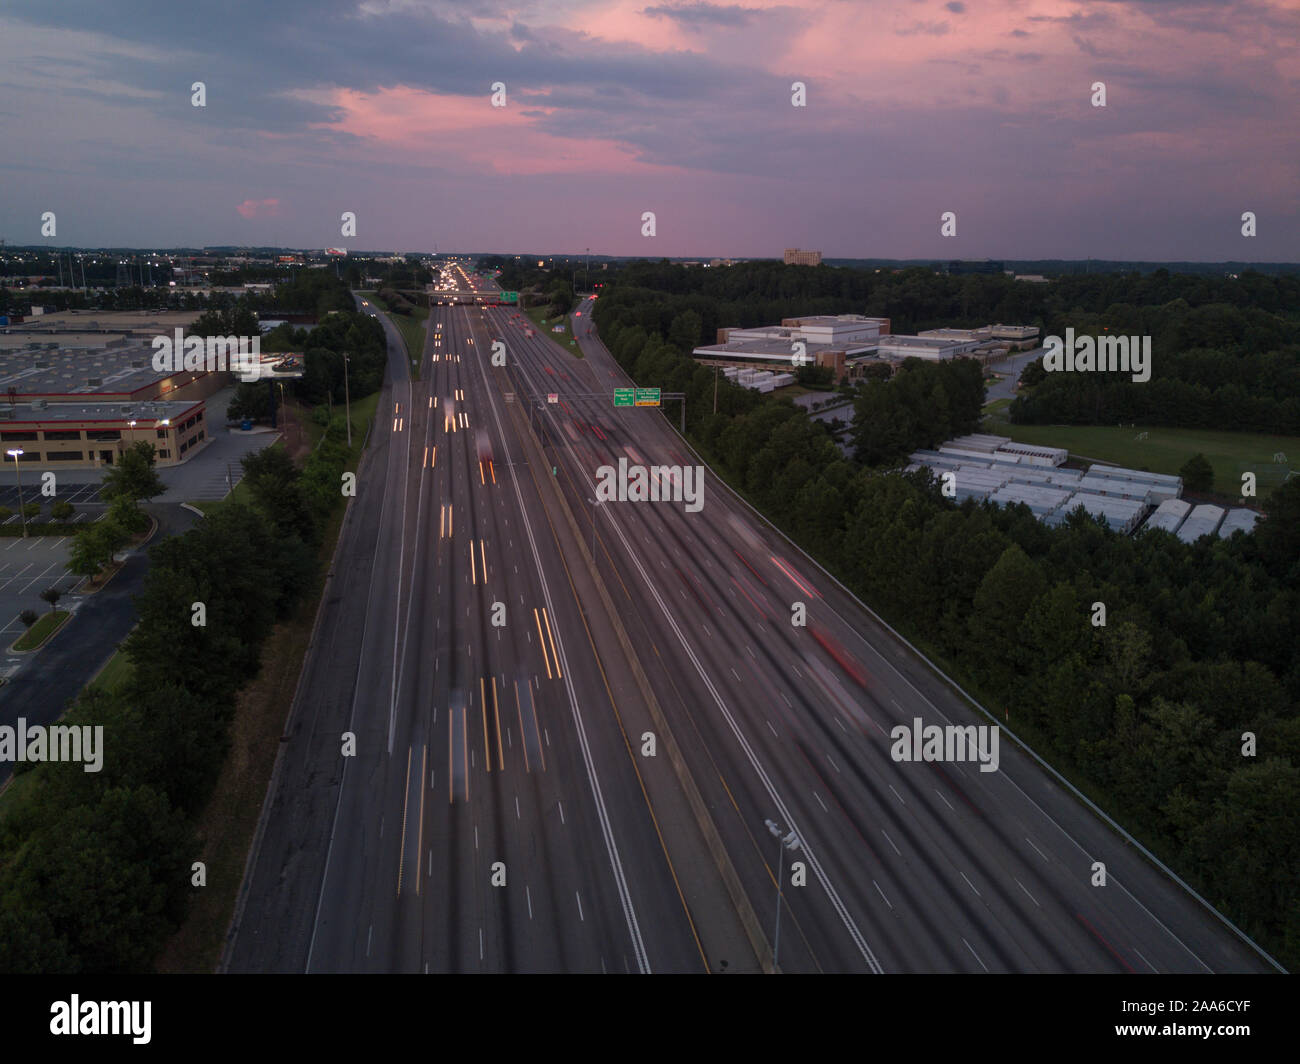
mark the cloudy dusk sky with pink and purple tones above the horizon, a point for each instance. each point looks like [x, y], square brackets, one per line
[618, 107]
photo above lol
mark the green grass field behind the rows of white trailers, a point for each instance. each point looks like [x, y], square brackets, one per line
[1165, 451]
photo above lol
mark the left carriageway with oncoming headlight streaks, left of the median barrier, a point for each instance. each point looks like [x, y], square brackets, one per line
[495, 816]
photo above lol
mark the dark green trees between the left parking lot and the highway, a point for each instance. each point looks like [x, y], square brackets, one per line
[96, 870]
